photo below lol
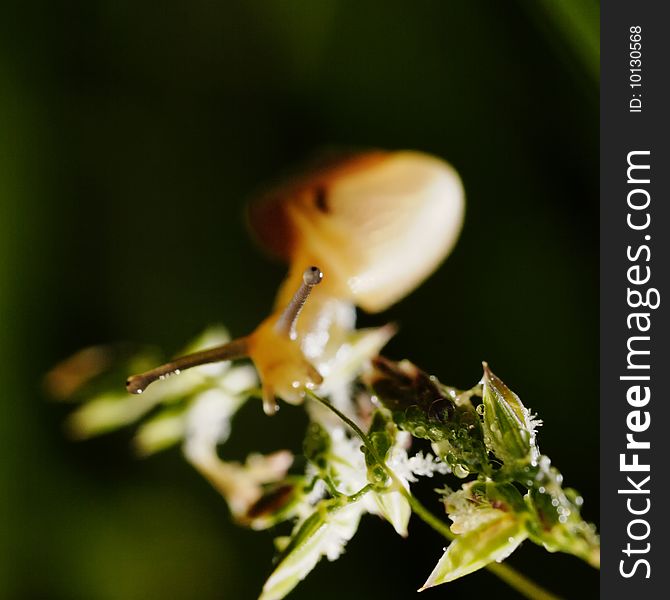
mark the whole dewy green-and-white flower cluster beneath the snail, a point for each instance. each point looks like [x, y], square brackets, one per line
[358, 455]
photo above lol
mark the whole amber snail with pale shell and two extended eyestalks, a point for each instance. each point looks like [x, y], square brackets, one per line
[363, 231]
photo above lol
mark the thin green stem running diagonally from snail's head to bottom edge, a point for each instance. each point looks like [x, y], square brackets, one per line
[513, 578]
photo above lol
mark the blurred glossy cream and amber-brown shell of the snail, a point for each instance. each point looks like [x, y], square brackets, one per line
[378, 223]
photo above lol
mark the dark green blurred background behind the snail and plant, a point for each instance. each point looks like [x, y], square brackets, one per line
[131, 135]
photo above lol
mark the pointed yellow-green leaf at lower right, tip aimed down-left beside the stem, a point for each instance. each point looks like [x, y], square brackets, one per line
[492, 541]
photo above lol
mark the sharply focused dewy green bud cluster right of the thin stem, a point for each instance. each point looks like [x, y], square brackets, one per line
[517, 493]
